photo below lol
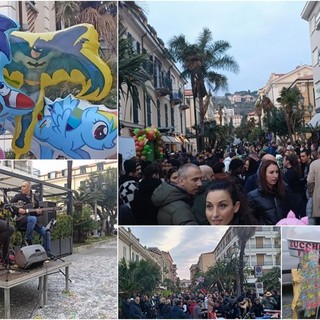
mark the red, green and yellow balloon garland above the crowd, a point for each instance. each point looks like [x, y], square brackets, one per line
[148, 144]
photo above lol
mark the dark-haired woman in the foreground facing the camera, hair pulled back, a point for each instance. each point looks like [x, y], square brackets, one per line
[226, 205]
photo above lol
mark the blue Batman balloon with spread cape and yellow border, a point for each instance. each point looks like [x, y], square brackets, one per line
[43, 60]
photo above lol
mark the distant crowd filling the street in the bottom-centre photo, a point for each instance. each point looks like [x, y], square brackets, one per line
[202, 305]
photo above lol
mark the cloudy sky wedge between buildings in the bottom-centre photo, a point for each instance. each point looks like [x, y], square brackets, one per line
[185, 244]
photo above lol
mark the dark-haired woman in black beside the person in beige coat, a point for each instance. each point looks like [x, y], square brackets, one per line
[294, 179]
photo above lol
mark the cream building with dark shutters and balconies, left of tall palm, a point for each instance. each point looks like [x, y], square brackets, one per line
[165, 108]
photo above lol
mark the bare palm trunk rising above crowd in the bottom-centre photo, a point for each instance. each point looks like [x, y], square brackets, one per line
[244, 234]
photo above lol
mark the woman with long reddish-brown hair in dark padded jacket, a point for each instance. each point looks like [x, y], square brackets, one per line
[269, 200]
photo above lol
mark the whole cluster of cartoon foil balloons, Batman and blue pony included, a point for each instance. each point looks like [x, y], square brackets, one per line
[37, 62]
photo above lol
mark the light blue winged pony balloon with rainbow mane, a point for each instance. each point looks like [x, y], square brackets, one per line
[75, 129]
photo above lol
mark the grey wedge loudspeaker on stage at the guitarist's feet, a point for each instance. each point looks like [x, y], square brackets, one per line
[31, 256]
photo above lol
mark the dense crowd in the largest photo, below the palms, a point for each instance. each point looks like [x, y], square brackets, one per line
[246, 185]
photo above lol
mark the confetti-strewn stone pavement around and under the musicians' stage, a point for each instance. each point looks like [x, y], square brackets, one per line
[92, 290]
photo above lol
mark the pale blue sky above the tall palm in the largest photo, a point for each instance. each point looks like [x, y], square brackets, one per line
[266, 36]
